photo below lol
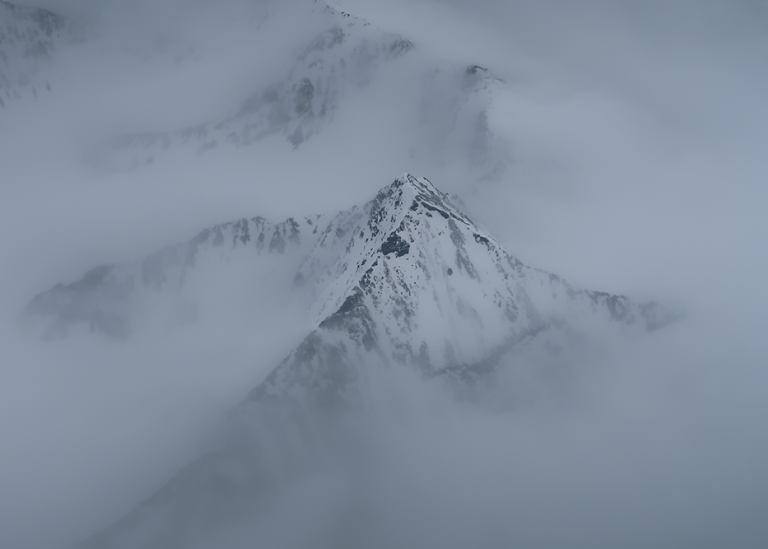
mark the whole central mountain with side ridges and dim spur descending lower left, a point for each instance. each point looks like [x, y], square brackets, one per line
[403, 283]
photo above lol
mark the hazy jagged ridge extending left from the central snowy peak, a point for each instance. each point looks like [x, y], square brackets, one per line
[165, 288]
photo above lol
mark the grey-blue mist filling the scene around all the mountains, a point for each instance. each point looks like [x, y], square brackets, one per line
[636, 144]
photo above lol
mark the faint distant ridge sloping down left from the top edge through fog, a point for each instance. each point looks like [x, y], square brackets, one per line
[296, 107]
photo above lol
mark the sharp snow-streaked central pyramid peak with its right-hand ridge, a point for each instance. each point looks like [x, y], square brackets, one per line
[409, 279]
